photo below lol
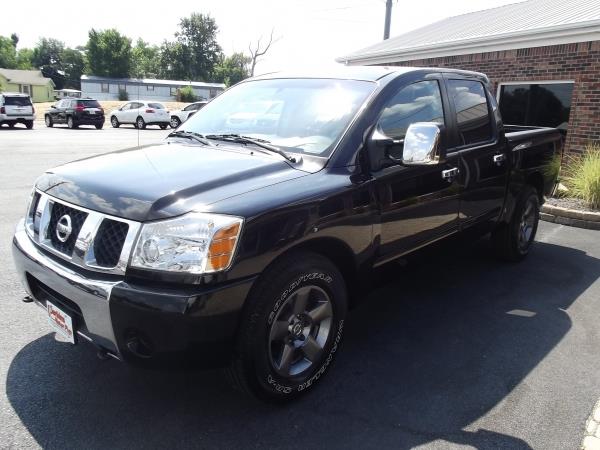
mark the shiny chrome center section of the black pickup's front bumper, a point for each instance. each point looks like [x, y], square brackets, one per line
[92, 296]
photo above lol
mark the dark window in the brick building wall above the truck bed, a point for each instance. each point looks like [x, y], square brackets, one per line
[541, 104]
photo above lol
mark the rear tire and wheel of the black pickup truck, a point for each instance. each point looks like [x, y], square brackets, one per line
[512, 241]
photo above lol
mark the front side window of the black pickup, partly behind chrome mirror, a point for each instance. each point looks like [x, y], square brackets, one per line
[418, 102]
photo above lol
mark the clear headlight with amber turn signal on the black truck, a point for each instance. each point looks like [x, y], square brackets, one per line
[193, 243]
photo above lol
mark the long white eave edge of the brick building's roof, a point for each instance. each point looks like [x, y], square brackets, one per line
[590, 31]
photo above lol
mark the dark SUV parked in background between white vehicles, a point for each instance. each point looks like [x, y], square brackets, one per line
[75, 112]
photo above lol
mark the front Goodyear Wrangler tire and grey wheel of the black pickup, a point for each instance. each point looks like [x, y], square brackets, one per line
[291, 328]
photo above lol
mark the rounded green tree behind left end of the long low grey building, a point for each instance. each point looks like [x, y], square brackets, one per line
[108, 53]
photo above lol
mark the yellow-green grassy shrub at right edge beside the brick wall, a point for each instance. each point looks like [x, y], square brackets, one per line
[582, 175]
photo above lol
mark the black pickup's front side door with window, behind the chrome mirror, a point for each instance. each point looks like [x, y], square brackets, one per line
[418, 204]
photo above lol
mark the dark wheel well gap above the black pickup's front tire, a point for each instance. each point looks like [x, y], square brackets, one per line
[340, 255]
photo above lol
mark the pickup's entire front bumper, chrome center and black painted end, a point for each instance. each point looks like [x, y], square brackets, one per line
[134, 319]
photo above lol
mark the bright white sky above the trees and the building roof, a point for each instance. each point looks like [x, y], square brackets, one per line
[307, 33]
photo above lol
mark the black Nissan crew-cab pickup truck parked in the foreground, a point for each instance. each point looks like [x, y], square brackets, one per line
[246, 235]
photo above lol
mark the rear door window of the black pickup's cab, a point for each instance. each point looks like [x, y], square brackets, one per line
[472, 112]
